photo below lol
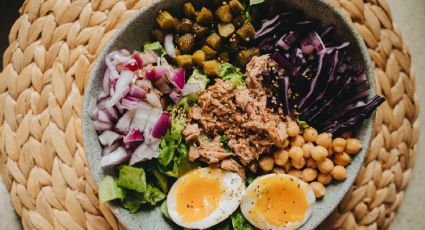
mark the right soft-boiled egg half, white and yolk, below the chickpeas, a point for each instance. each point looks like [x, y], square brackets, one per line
[278, 202]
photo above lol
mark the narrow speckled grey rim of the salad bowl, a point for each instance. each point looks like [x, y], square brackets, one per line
[338, 189]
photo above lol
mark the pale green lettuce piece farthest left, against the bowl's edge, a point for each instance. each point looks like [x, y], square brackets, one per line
[108, 190]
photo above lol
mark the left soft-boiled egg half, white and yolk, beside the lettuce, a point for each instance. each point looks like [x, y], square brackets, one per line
[204, 197]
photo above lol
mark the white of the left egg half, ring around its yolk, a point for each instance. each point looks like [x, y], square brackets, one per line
[233, 190]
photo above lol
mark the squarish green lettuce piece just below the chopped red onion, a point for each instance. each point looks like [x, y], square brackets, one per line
[132, 178]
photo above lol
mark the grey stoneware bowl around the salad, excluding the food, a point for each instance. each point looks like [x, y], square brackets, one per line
[137, 30]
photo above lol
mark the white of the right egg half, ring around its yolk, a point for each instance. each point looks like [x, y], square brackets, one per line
[261, 223]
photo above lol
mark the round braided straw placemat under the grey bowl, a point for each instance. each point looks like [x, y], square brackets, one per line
[52, 47]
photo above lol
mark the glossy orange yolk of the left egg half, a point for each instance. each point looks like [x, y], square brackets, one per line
[197, 197]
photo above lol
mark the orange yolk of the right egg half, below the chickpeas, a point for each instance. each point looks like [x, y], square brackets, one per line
[280, 200]
